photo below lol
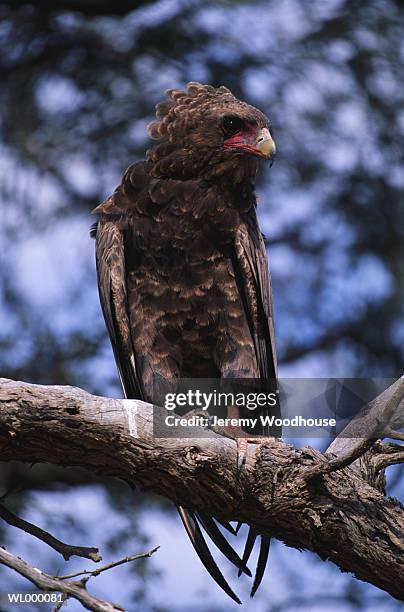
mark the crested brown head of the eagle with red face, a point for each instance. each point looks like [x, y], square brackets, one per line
[207, 132]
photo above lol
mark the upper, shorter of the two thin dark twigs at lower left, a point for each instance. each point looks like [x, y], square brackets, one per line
[67, 550]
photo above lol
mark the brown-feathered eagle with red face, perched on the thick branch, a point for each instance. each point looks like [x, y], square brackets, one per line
[182, 269]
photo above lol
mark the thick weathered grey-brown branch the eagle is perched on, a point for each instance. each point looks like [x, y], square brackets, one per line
[339, 515]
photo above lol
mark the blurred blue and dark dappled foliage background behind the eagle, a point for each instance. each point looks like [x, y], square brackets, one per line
[80, 79]
